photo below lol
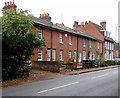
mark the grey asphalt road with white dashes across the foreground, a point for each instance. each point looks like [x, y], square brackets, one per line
[98, 83]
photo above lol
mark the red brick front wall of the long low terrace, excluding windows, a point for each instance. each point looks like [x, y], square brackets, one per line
[46, 33]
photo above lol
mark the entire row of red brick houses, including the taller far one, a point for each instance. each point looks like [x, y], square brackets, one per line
[86, 40]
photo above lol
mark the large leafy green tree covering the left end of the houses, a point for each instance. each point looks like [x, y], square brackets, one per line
[18, 42]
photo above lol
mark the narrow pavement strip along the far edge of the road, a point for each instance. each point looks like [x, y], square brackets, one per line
[80, 71]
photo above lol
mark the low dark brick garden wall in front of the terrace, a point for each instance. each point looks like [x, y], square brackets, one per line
[52, 66]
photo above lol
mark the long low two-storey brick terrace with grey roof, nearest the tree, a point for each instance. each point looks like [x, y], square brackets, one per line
[63, 42]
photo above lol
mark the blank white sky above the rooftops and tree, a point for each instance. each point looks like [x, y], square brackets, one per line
[68, 11]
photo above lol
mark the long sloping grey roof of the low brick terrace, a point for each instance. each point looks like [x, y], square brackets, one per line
[61, 28]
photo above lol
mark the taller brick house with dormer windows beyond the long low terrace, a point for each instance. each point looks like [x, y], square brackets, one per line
[100, 32]
